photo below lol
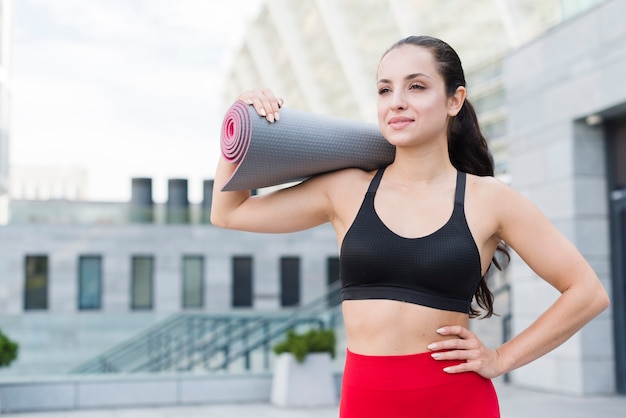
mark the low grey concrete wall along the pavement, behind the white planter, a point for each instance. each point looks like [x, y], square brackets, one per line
[124, 391]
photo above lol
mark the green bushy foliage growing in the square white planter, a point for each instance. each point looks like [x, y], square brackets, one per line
[313, 341]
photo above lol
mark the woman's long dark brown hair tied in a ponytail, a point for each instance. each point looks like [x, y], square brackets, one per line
[467, 147]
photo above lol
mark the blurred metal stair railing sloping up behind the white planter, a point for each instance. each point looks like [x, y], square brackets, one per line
[186, 342]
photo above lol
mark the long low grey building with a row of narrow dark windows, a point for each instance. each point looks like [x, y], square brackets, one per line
[77, 278]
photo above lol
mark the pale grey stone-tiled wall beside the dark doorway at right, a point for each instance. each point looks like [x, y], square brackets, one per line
[558, 161]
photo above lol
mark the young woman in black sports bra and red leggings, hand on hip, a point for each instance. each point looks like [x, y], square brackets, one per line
[416, 239]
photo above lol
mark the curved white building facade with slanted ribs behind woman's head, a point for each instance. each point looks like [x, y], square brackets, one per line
[322, 55]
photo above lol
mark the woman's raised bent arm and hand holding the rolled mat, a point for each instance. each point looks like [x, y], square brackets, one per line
[292, 209]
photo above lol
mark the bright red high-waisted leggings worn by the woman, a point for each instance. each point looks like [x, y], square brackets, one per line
[413, 386]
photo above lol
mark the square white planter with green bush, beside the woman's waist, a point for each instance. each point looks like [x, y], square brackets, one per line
[303, 374]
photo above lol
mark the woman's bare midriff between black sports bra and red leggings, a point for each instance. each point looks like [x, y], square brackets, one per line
[381, 327]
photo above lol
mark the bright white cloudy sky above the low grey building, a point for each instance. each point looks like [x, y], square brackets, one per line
[123, 88]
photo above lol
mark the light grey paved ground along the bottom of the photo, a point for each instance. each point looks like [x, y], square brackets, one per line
[515, 403]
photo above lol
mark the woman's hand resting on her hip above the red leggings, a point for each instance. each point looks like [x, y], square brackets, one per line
[468, 347]
